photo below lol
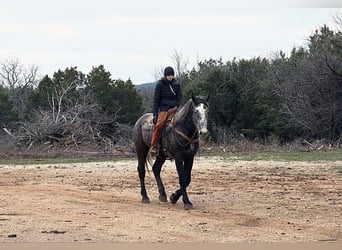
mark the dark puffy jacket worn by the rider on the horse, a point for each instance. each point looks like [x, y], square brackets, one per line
[165, 98]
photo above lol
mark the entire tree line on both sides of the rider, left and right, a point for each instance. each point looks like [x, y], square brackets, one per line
[284, 97]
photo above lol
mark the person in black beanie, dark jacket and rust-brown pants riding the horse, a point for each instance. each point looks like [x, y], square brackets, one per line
[167, 98]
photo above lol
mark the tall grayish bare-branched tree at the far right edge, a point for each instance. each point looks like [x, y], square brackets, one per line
[309, 84]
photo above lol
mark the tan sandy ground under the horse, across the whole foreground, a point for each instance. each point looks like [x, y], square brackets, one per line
[234, 201]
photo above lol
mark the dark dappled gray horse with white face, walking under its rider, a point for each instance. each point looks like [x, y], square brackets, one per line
[180, 141]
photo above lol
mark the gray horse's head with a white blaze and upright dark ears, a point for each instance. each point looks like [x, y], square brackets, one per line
[200, 113]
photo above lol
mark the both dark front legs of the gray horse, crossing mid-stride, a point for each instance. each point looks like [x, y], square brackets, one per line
[184, 168]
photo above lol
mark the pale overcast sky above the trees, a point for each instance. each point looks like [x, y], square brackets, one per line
[133, 39]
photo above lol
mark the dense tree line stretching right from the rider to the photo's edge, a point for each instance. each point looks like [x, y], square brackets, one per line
[287, 97]
